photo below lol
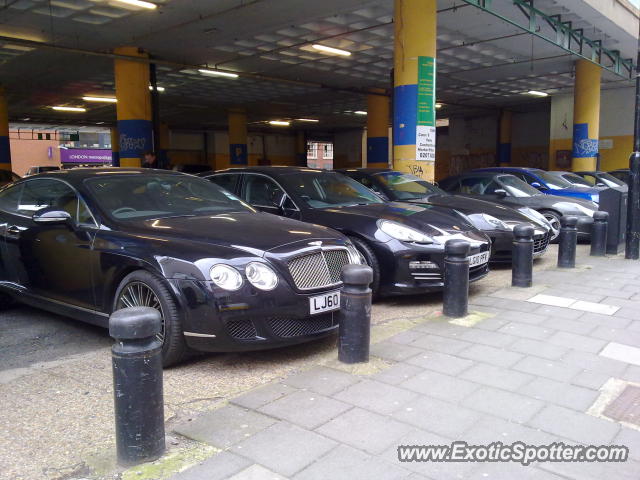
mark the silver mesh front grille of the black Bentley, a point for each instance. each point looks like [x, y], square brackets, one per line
[319, 269]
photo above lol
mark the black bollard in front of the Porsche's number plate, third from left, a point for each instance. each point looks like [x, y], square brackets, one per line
[455, 297]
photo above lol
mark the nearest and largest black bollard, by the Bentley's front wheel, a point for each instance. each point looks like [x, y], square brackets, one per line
[137, 384]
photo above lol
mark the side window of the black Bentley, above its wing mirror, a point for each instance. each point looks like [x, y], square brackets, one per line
[41, 193]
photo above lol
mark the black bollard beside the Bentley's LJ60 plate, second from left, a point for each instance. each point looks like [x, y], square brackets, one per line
[355, 314]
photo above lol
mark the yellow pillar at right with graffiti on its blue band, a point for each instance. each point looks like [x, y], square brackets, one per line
[586, 116]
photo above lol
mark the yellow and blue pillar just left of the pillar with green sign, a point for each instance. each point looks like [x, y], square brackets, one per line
[377, 130]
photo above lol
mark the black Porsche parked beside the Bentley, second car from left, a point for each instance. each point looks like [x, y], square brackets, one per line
[402, 242]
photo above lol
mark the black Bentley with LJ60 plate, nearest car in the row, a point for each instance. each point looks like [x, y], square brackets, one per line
[225, 277]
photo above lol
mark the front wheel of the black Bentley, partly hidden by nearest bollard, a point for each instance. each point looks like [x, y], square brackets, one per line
[174, 348]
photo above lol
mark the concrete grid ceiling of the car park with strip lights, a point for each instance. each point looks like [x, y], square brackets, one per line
[484, 63]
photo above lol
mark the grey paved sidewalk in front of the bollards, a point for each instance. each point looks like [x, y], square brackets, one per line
[537, 365]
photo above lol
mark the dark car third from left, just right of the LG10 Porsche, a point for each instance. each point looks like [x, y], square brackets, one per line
[497, 221]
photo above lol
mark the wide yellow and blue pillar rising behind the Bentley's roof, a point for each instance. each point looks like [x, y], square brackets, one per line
[134, 106]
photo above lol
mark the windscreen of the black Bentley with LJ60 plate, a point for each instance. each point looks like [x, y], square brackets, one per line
[148, 196]
